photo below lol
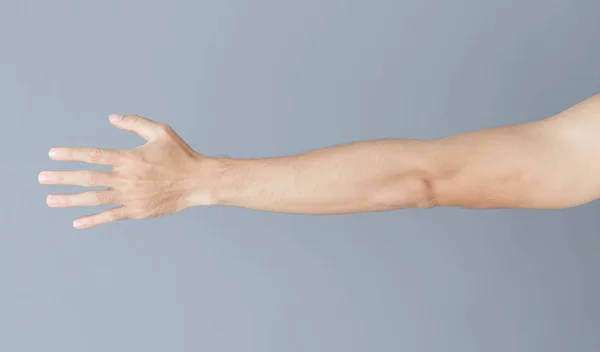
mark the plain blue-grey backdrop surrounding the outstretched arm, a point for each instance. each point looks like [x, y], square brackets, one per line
[264, 78]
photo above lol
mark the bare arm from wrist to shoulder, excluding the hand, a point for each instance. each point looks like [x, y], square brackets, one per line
[550, 163]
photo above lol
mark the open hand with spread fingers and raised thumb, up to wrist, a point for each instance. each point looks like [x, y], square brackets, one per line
[161, 177]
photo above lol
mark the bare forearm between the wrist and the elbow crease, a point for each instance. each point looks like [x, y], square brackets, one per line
[356, 177]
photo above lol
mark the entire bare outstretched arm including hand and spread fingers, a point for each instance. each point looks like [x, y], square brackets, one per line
[547, 164]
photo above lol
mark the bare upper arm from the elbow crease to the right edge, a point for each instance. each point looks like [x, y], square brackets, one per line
[551, 163]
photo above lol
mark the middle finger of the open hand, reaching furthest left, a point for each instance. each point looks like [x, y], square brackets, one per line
[84, 178]
